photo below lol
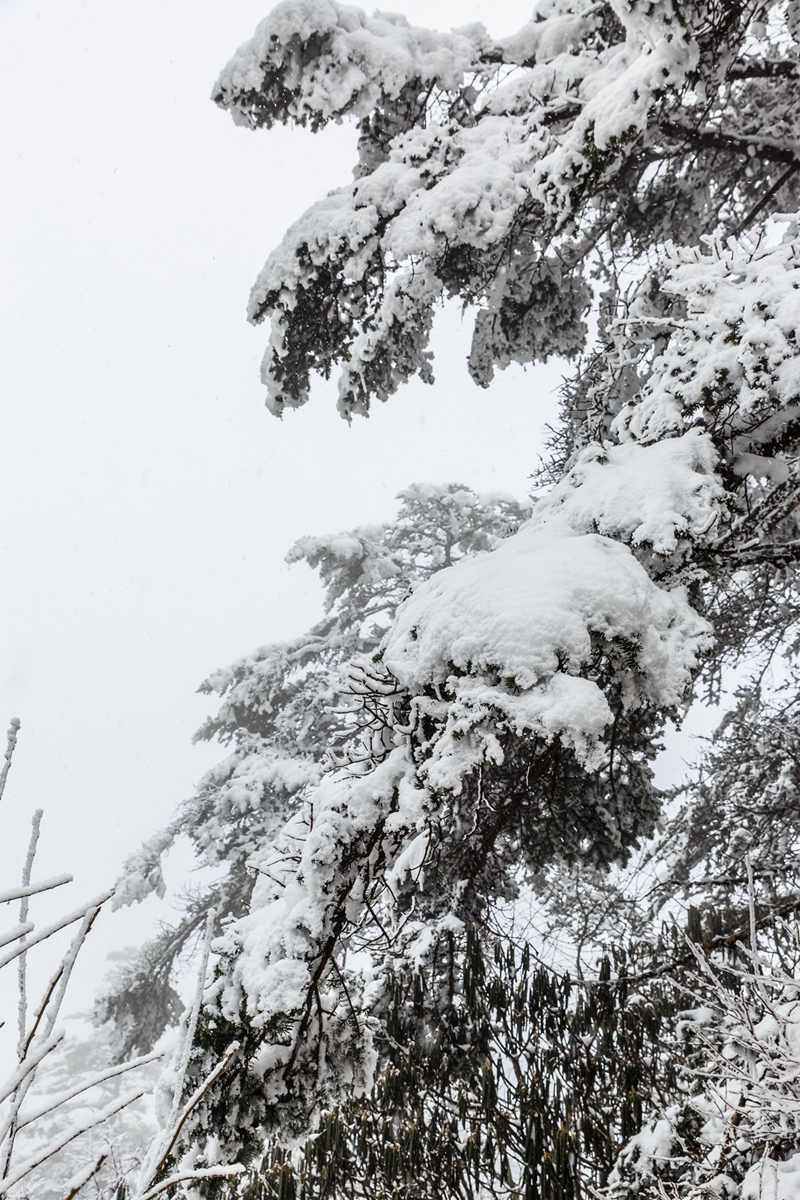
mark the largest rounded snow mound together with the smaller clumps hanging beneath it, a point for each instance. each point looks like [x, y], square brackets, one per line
[518, 631]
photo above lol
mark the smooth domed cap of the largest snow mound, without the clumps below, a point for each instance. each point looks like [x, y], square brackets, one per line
[530, 609]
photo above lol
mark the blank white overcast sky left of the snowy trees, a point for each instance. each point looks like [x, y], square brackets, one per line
[147, 496]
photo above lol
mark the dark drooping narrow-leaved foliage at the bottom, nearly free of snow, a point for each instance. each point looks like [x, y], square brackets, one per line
[526, 1089]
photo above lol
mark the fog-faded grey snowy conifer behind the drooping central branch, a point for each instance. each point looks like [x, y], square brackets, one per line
[287, 711]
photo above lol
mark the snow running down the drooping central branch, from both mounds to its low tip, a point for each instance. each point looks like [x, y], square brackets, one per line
[508, 639]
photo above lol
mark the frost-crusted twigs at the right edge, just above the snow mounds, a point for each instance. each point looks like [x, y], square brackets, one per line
[733, 358]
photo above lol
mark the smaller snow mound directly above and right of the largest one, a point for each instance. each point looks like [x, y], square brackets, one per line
[652, 495]
